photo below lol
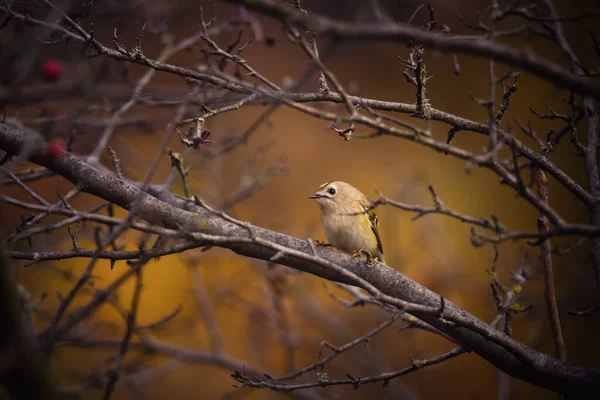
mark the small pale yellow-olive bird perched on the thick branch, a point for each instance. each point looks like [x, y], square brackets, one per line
[349, 222]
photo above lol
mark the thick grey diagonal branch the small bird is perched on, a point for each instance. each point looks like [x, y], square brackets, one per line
[507, 354]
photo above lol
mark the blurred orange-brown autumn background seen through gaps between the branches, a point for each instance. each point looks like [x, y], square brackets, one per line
[271, 317]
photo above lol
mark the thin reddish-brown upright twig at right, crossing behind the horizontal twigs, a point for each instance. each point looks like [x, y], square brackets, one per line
[546, 259]
